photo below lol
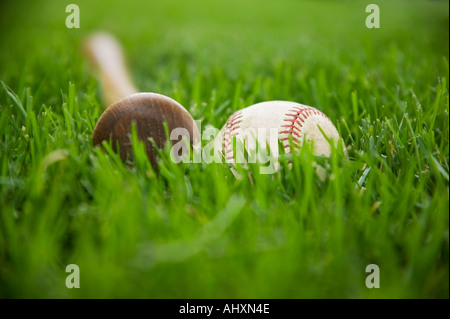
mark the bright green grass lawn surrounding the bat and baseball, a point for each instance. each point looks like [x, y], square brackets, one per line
[195, 230]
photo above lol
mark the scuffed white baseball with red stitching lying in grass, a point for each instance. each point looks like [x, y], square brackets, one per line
[288, 119]
